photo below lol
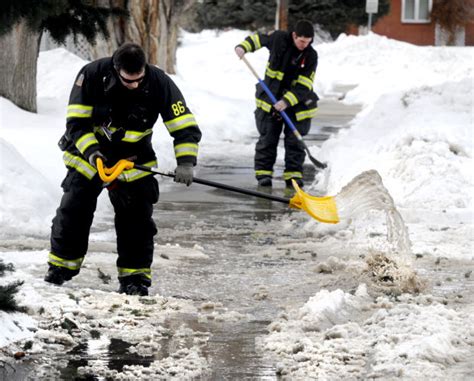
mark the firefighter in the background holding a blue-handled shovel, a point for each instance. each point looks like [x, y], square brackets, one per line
[289, 76]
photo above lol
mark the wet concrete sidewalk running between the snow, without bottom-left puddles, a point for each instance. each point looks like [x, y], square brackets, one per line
[231, 228]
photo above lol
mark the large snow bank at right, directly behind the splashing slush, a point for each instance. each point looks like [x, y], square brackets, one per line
[423, 156]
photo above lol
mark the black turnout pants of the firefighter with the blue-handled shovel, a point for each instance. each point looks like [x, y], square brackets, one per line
[270, 128]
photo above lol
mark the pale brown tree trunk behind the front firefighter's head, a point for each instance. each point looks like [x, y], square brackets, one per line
[153, 24]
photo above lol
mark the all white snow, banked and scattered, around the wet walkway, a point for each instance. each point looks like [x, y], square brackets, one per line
[416, 130]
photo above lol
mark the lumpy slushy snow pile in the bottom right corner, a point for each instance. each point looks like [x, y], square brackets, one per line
[337, 335]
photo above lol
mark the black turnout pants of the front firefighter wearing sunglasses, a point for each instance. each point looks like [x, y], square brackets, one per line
[134, 225]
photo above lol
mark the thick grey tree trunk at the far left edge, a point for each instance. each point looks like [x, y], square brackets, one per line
[18, 62]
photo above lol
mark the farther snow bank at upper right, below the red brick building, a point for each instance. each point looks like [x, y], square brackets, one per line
[379, 65]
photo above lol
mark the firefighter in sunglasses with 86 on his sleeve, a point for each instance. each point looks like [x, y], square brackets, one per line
[112, 109]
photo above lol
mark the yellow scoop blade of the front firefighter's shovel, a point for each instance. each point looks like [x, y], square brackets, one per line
[323, 209]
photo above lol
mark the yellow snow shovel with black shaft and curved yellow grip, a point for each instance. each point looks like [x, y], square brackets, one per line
[323, 209]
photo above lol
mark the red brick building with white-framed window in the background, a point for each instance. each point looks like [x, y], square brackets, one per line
[411, 21]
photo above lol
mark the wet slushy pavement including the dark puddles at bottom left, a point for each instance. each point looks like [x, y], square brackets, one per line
[245, 289]
